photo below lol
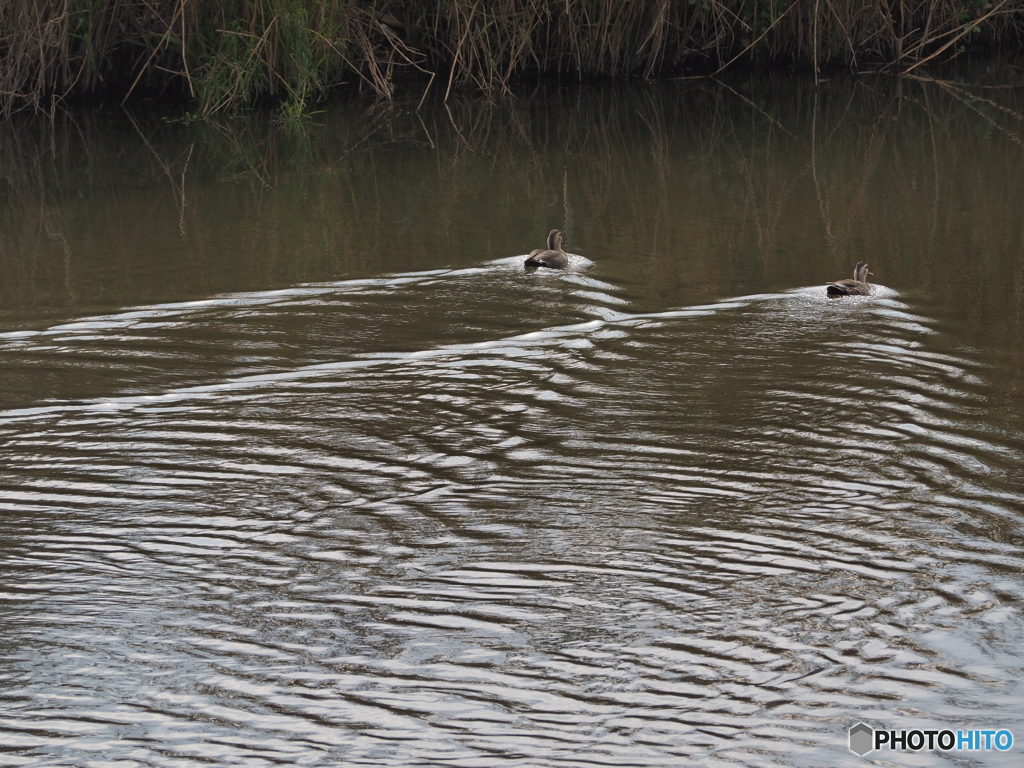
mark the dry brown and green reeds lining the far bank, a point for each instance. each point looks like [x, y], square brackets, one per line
[226, 55]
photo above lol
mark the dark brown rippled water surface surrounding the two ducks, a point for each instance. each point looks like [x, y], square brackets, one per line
[300, 467]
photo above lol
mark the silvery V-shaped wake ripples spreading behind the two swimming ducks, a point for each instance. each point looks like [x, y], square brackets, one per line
[718, 535]
